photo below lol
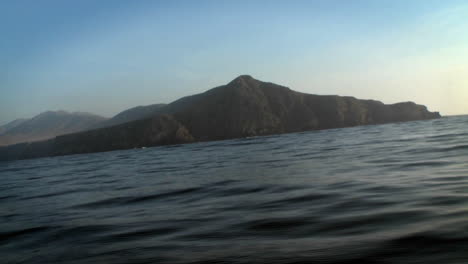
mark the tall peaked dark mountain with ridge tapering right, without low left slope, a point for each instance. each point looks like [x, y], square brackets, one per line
[248, 107]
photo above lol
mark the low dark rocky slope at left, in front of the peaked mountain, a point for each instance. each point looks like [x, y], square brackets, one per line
[159, 130]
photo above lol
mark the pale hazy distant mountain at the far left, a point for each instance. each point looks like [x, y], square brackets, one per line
[48, 125]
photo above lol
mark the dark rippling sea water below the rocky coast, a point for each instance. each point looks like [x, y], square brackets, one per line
[394, 193]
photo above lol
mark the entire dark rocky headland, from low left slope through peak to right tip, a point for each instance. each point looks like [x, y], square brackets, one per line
[244, 107]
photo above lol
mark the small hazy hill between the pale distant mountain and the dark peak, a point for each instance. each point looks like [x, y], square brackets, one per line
[132, 114]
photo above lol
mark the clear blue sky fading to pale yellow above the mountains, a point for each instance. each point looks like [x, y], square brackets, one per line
[107, 56]
